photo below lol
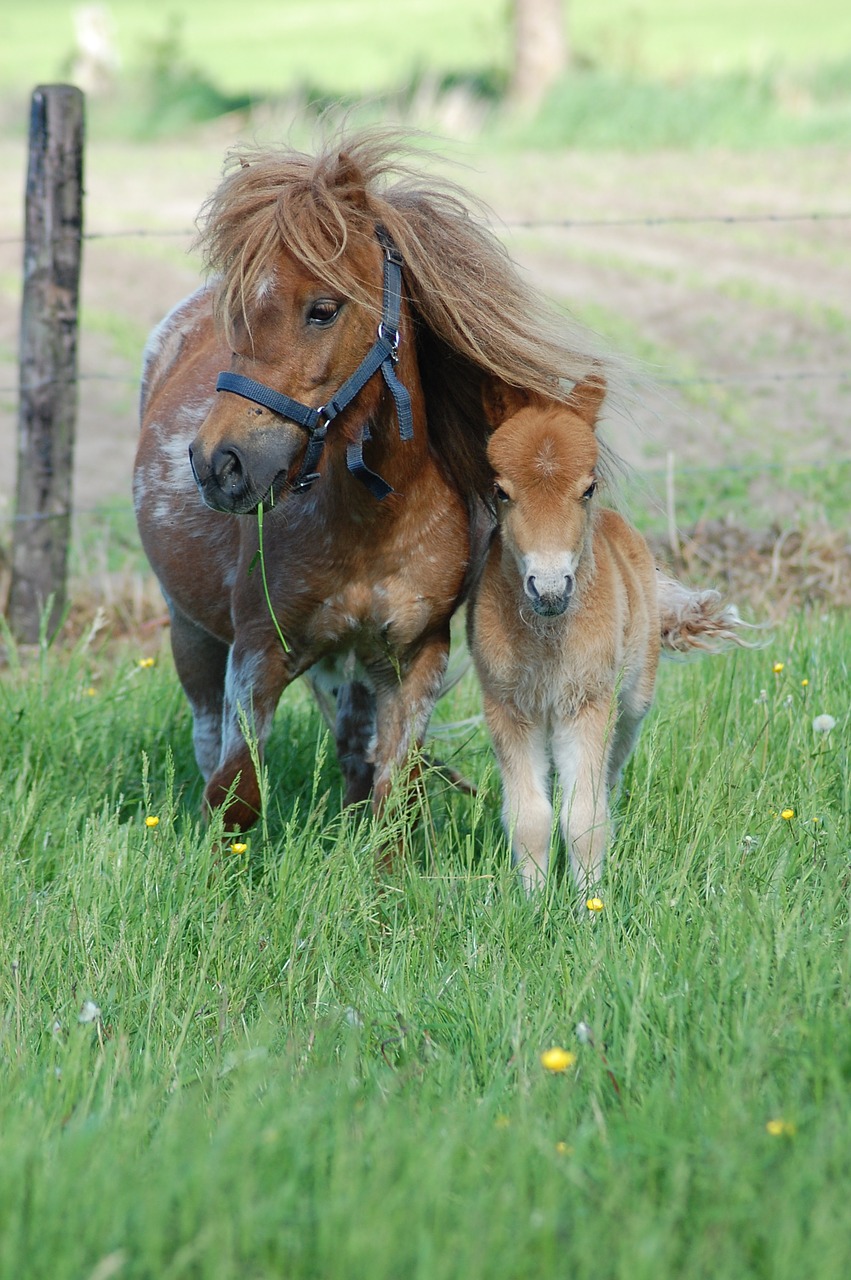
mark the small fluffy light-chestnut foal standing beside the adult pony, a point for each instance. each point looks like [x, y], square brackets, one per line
[566, 629]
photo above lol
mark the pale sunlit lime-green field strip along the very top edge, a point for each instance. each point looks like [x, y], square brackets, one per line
[363, 47]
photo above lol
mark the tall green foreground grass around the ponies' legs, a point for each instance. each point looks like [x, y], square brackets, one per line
[303, 1071]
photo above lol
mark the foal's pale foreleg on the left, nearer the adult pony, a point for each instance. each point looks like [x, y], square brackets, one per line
[528, 812]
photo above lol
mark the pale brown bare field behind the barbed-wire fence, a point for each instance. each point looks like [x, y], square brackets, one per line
[745, 326]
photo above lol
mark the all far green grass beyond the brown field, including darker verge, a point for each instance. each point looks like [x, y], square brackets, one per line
[664, 74]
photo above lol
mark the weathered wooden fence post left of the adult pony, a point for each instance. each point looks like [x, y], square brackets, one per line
[48, 414]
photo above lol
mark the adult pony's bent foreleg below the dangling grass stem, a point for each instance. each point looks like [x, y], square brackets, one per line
[254, 683]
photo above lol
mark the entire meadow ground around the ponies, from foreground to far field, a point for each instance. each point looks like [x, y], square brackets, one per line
[262, 1059]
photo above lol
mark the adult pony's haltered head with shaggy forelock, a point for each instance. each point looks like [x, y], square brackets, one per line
[301, 290]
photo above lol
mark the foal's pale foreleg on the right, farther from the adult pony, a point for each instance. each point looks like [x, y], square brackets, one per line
[582, 748]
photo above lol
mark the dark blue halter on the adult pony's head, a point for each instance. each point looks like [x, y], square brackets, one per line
[382, 355]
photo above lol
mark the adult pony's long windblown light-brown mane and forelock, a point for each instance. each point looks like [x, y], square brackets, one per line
[478, 318]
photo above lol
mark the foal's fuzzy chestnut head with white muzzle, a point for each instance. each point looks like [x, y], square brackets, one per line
[545, 458]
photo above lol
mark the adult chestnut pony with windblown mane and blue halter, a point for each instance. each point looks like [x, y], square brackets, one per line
[330, 378]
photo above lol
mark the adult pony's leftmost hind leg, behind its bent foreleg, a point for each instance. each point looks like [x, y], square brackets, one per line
[202, 662]
